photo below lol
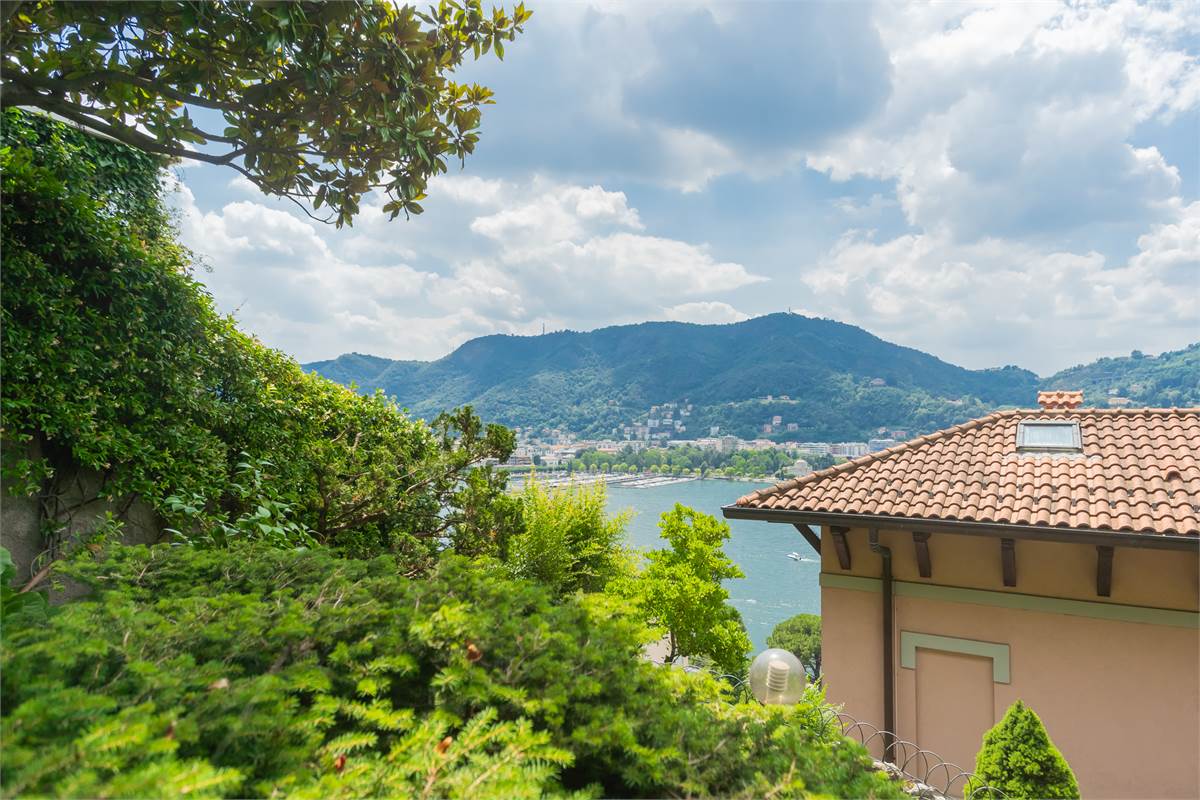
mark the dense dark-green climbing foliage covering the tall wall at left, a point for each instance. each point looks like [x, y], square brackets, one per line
[116, 363]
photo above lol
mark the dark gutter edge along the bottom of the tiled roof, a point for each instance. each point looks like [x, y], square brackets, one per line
[1000, 531]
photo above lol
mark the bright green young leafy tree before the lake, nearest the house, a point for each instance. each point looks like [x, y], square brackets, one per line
[681, 591]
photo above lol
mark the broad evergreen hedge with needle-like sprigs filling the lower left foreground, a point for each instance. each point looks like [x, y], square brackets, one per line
[251, 672]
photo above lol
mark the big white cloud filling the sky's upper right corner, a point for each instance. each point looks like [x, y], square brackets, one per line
[1016, 119]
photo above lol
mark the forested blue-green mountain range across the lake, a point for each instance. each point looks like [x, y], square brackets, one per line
[825, 381]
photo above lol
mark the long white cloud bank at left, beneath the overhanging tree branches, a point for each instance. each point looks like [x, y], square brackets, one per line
[500, 257]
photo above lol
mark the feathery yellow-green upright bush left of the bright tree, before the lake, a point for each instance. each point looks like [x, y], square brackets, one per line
[568, 543]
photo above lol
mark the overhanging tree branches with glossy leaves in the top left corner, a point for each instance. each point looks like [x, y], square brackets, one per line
[321, 103]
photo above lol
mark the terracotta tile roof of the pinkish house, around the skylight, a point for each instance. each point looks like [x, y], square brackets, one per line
[1139, 472]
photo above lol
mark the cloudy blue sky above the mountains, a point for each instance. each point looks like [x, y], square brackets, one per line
[994, 185]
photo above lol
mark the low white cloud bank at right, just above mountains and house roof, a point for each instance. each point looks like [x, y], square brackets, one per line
[976, 303]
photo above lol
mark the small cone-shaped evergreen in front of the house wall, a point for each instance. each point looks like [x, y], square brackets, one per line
[1019, 760]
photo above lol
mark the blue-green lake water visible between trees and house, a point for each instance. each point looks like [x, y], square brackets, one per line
[776, 587]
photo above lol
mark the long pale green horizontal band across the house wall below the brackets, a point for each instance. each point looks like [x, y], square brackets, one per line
[1113, 612]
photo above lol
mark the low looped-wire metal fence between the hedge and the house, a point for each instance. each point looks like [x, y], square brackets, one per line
[925, 768]
